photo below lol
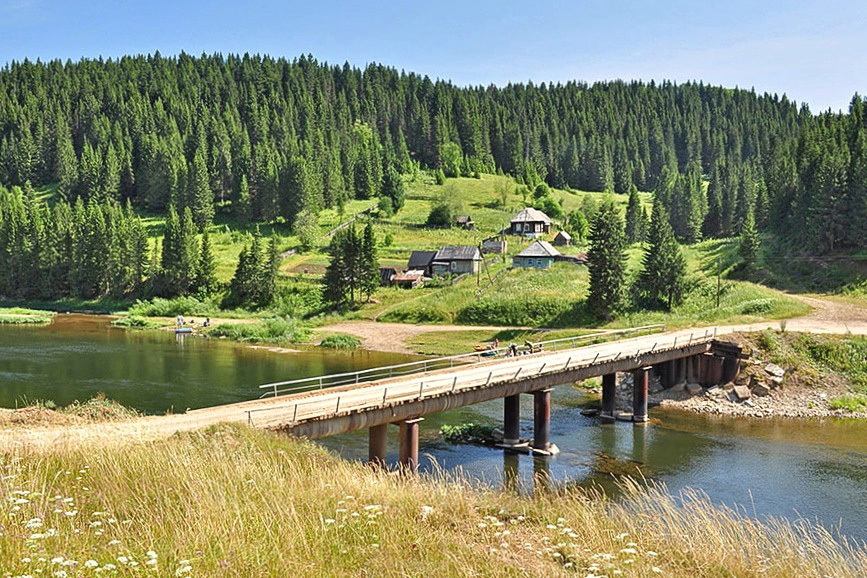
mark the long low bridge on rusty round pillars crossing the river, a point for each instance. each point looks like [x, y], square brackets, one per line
[403, 394]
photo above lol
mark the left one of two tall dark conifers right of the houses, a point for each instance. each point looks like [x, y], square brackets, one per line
[607, 263]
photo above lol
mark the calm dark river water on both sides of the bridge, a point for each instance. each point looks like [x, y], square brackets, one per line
[811, 469]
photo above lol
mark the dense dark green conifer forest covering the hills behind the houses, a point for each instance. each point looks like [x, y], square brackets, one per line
[264, 140]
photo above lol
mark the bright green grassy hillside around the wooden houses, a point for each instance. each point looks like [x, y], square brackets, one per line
[498, 296]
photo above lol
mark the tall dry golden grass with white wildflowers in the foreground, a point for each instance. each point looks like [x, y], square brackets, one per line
[236, 502]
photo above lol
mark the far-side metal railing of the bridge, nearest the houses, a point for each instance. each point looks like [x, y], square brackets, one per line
[425, 365]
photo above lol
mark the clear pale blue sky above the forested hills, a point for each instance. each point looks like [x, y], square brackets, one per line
[815, 52]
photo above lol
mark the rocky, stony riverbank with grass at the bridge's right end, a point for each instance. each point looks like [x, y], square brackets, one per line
[793, 375]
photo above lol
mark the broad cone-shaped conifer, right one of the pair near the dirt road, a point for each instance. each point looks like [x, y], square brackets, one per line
[660, 283]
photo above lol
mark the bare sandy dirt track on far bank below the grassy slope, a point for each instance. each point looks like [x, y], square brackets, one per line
[393, 337]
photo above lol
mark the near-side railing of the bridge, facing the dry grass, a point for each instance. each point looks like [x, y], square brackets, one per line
[431, 386]
